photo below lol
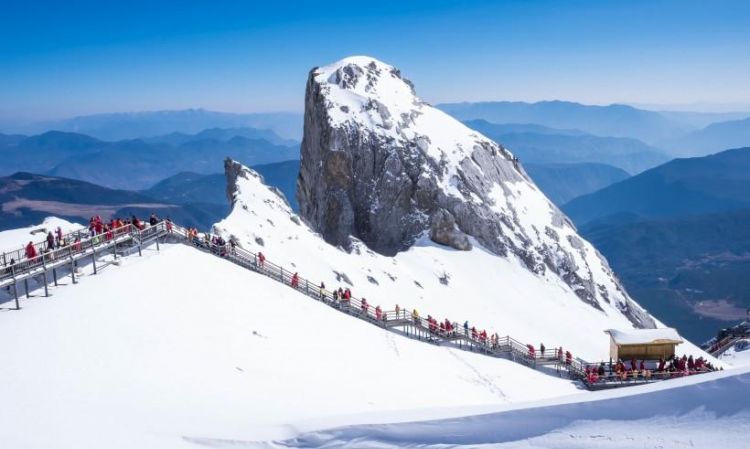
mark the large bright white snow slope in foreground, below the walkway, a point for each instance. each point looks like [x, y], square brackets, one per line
[180, 347]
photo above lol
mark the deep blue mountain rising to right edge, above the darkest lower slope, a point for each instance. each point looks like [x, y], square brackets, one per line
[682, 187]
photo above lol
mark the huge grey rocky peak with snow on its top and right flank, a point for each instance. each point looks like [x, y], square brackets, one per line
[381, 165]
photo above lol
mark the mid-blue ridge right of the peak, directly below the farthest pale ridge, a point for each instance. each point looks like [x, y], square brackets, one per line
[543, 145]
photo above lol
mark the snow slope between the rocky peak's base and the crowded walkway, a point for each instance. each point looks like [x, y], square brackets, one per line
[490, 291]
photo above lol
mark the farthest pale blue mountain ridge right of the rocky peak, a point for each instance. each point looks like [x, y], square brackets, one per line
[612, 121]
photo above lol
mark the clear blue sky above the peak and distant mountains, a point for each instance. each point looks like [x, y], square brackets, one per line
[72, 57]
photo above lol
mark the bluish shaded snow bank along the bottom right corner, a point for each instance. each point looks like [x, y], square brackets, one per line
[698, 412]
